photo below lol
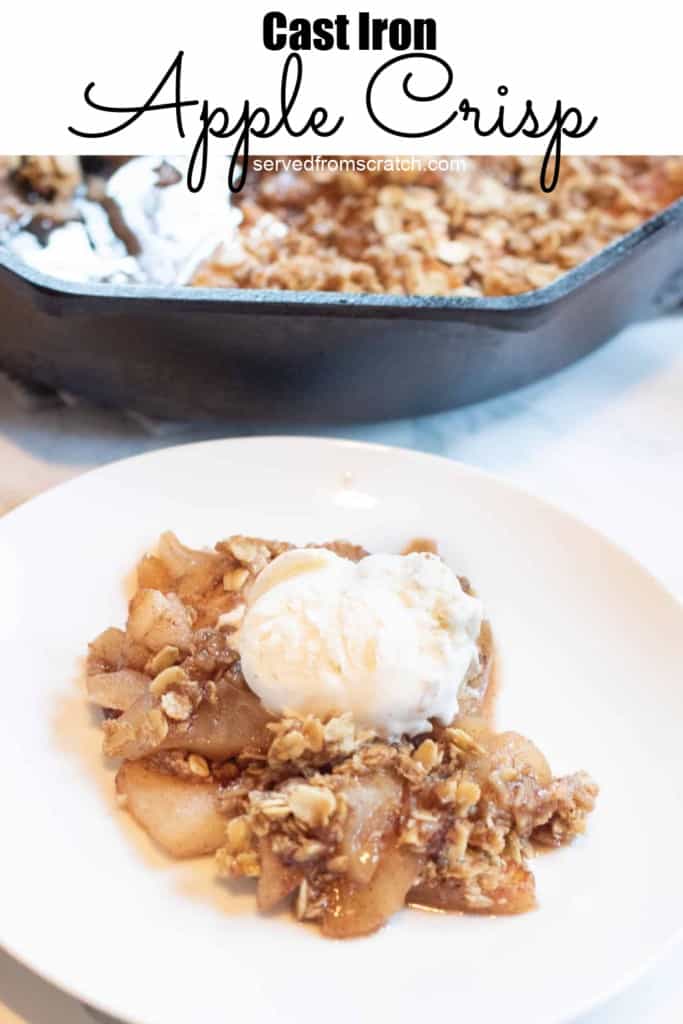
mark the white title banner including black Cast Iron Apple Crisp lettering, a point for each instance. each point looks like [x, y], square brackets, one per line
[207, 78]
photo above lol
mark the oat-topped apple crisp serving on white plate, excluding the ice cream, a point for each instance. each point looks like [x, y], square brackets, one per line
[345, 825]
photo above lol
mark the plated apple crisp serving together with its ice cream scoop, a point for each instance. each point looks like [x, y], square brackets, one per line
[321, 720]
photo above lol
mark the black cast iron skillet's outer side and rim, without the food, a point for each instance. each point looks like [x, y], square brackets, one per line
[317, 357]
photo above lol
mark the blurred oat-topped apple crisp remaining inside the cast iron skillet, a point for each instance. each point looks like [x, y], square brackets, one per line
[486, 232]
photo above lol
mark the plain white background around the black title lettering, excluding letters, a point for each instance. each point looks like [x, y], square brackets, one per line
[619, 62]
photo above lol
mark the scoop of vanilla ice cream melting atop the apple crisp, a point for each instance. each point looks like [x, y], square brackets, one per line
[391, 638]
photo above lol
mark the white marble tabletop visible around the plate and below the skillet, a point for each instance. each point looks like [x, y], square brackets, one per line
[604, 440]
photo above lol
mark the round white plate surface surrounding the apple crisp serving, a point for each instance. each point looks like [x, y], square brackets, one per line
[592, 650]
